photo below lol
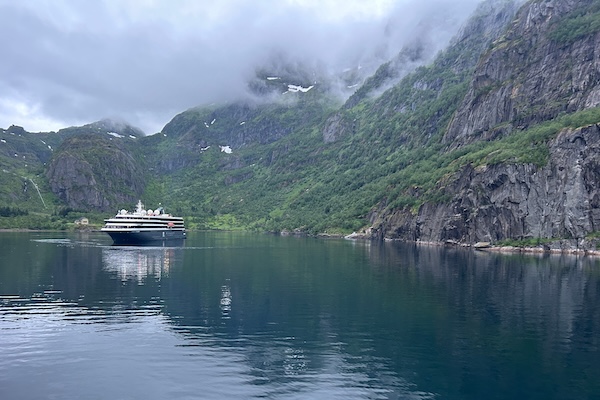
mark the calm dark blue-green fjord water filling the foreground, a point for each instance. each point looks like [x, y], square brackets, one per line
[234, 316]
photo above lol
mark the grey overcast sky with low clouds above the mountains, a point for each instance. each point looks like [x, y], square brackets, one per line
[73, 62]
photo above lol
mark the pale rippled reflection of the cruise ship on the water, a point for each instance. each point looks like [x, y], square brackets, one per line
[139, 263]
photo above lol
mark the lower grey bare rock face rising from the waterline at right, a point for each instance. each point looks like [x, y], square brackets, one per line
[560, 200]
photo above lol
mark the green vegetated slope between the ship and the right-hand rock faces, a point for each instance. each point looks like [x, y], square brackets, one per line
[300, 183]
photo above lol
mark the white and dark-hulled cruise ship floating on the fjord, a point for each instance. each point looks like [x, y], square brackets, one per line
[144, 226]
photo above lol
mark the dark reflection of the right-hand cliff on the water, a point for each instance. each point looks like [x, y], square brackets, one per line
[553, 295]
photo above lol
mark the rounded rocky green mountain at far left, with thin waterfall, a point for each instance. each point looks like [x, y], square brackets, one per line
[76, 167]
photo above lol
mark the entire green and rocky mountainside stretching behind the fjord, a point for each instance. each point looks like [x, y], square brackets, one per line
[494, 139]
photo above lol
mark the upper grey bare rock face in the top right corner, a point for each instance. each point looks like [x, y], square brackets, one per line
[529, 76]
